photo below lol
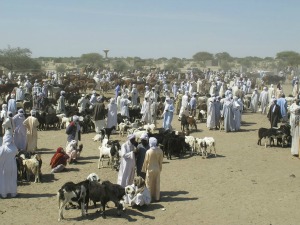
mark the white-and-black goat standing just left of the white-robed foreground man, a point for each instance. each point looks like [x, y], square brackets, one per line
[110, 151]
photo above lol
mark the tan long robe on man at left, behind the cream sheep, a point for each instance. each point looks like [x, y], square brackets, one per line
[31, 124]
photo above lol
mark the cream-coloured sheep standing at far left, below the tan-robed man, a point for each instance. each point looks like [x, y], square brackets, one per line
[32, 166]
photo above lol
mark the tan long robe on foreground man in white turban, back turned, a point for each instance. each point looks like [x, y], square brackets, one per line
[153, 167]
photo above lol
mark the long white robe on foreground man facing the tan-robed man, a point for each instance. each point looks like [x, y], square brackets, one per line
[127, 165]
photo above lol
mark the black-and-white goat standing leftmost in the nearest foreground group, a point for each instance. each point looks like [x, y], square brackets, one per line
[71, 192]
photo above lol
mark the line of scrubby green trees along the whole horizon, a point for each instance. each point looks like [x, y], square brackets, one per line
[20, 59]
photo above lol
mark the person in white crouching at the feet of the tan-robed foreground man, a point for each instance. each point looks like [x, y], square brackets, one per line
[137, 193]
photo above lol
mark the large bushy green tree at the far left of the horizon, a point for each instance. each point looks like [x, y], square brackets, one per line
[18, 59]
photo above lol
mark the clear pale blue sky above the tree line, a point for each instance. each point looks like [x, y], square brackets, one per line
[150, 29]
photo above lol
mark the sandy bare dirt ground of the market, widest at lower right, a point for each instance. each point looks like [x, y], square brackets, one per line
[244, 184]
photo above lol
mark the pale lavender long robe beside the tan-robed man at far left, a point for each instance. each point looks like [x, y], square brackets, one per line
[20, 132]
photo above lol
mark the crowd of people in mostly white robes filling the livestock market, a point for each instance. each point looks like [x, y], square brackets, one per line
[140, 163]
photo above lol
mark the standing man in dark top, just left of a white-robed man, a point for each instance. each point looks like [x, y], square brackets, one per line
[99, 114]
